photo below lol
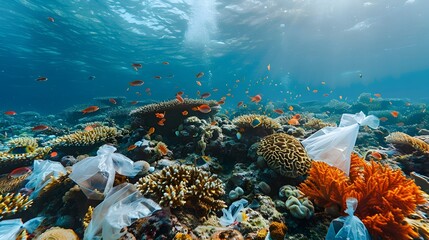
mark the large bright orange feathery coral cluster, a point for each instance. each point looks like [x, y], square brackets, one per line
[385, 196]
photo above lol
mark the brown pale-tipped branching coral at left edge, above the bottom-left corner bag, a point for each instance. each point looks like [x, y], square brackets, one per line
[13, 203]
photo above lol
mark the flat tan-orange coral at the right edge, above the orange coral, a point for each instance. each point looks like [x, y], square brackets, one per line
[407, 143]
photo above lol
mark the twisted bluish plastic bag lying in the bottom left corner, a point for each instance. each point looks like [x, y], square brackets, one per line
[9, 229]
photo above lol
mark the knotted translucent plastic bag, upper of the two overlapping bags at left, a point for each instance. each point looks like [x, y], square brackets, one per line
[95, 175]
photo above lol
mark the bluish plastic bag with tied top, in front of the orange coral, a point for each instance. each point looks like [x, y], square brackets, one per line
[348, 227]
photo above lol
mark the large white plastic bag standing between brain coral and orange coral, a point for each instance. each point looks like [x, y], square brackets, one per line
[334, 145]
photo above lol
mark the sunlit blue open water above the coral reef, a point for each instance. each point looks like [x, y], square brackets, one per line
[305, 43]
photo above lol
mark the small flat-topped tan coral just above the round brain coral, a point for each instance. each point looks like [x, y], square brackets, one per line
[245, 121]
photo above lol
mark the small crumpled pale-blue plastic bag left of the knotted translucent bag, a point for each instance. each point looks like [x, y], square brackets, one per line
[41, 175]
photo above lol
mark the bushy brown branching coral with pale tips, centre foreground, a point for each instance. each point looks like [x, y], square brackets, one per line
[177, 186]
